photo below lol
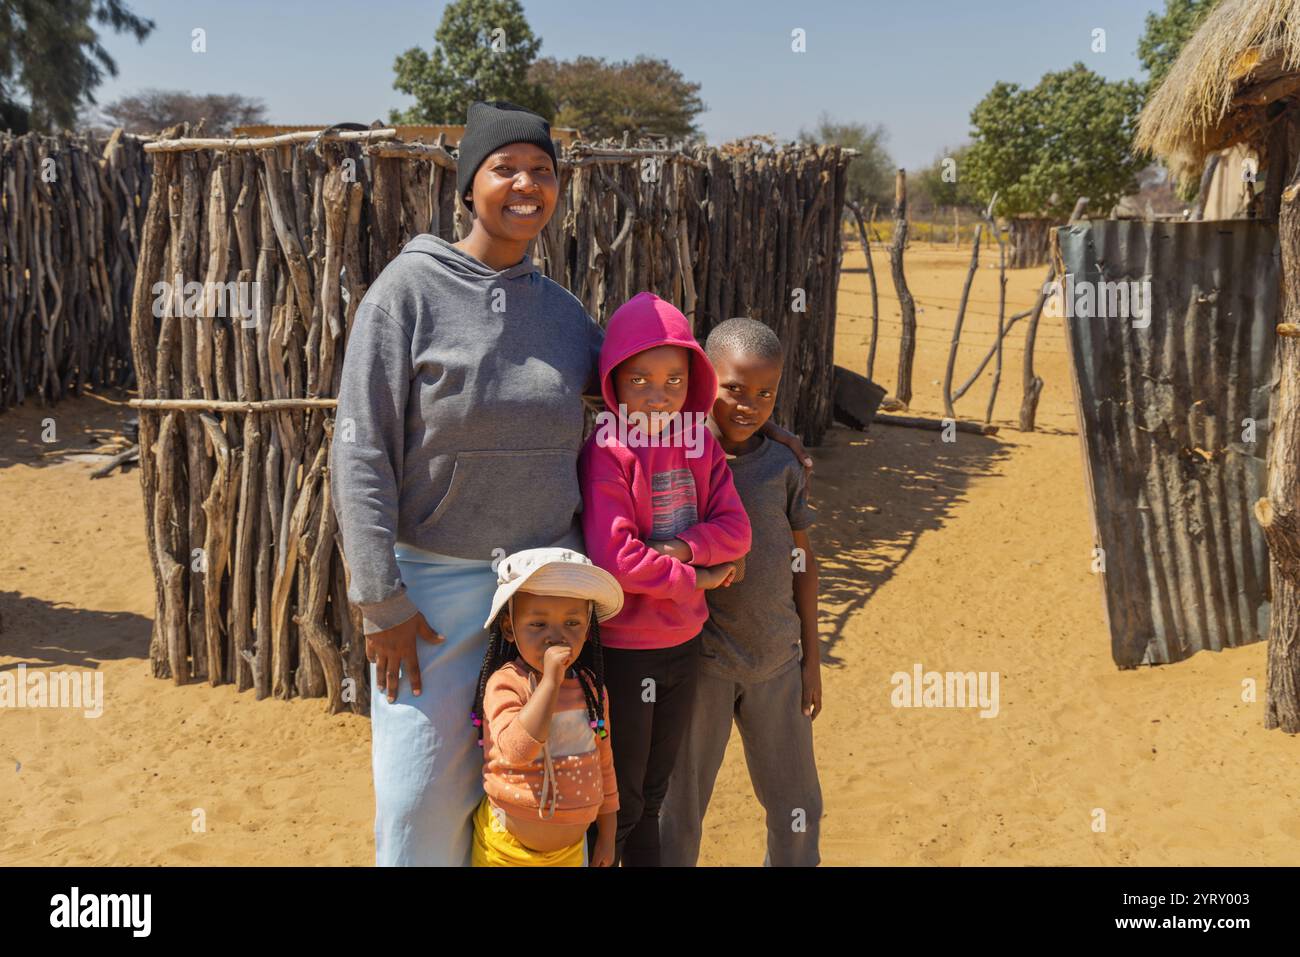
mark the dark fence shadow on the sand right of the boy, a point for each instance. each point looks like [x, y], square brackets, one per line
[876, 495]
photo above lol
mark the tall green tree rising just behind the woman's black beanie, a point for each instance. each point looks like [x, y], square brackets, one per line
[483, 51]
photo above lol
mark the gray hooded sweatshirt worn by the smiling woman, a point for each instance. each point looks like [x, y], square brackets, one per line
[460, 418]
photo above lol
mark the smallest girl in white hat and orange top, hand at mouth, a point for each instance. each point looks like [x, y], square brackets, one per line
[543, 712]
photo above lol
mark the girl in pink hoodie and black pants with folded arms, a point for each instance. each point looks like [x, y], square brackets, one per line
[661, 514]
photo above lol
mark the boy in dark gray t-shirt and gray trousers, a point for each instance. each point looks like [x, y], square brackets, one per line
[760, 661]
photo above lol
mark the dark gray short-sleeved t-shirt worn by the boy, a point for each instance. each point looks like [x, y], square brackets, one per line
[753, 629]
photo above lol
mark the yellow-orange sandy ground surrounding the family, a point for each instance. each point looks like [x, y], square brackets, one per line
[970, 556]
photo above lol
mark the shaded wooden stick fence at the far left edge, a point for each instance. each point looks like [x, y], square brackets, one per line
[70, 227]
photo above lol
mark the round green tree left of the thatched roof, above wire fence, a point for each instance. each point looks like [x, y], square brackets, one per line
[1043, 149]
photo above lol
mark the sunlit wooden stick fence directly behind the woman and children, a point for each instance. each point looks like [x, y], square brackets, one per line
[236, 409]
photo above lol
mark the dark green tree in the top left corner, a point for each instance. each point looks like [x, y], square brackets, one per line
[51, 59]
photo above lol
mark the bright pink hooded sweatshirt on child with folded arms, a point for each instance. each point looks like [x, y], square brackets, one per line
[634, 492]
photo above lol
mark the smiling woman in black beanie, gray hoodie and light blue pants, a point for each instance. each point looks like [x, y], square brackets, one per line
[457, 436]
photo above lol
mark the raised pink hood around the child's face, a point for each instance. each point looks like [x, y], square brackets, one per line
[647, 322]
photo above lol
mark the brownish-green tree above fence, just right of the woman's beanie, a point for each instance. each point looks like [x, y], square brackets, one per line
[647, 97]
